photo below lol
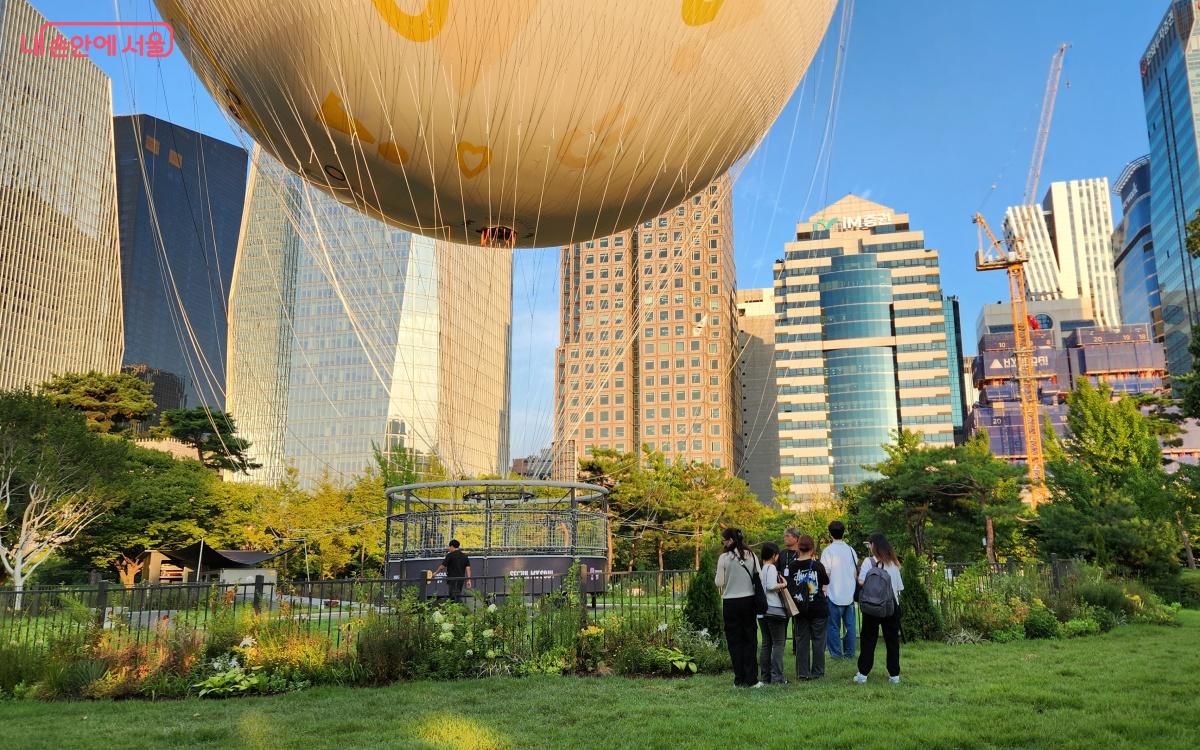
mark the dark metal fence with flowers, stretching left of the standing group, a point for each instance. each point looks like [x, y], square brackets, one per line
[327, 610]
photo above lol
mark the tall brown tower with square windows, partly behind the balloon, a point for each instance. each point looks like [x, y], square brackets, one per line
[649, 339]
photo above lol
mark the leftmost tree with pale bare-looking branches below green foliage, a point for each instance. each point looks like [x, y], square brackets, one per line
[53, 471]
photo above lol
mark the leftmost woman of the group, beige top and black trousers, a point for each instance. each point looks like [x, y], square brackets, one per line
[735, 579]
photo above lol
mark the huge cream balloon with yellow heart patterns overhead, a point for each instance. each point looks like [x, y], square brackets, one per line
[526, 123]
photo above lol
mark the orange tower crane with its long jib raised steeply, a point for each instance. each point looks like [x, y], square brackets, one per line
[1012, 256]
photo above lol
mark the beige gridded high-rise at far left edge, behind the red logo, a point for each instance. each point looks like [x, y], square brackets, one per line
[61, 278]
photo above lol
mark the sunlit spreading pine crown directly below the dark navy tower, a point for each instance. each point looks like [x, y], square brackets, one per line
[110, 401]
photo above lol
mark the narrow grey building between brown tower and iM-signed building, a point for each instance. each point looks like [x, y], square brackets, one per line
[759, 391]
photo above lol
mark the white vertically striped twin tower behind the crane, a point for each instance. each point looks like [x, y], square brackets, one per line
[1070, 244]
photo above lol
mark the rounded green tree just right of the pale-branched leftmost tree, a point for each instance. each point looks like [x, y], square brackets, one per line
[159, 503]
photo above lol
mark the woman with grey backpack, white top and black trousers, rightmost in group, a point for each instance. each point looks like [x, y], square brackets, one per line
[880, 574]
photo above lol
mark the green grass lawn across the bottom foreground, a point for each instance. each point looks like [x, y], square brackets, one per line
[1136, 687]
